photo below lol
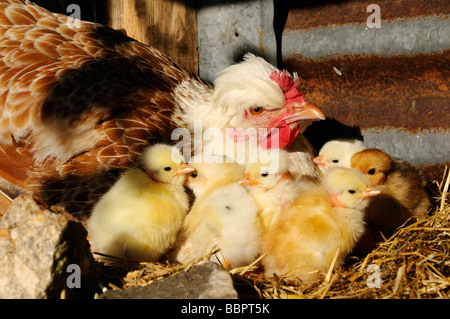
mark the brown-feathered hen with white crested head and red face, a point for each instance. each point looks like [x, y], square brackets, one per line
[79, 104]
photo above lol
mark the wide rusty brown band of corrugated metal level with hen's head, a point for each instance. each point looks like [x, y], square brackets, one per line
[369, 91]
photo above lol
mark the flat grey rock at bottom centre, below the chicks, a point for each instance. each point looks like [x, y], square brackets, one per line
[204, 281]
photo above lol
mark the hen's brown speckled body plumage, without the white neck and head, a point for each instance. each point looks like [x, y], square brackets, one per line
[84, 101]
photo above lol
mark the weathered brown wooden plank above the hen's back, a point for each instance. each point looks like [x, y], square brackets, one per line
[170, 26]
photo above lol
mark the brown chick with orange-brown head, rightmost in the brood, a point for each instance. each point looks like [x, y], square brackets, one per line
[403, 196]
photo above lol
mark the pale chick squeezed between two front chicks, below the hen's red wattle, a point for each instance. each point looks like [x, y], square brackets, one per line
[271, 184]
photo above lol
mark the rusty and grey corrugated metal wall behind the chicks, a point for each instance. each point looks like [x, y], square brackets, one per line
[389, 77]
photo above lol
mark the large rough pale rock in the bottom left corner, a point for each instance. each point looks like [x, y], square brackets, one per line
[44, 253]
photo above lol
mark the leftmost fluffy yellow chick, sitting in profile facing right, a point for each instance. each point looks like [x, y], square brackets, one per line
[140, 216]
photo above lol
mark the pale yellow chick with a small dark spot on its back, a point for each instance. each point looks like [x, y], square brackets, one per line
[223, 216]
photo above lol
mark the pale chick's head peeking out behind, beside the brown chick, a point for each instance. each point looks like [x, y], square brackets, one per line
[337, 153]
